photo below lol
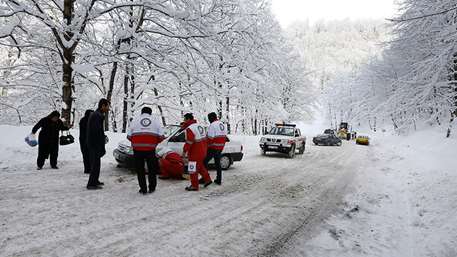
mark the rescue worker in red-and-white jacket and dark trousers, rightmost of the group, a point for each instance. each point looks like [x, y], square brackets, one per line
[217, 136]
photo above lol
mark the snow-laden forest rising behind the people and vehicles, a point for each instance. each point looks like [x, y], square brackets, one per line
[231, 57]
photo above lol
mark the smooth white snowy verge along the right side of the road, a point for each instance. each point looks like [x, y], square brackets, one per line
[405, 204]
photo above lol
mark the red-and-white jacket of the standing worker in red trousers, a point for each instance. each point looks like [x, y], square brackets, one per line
[196, 144]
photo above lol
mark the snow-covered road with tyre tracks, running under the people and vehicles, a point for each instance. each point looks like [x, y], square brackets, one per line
[264, 205]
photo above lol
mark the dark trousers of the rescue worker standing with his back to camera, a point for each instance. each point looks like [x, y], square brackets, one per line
[153, 166]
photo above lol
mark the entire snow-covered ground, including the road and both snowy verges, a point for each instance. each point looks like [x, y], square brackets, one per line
[394, 198]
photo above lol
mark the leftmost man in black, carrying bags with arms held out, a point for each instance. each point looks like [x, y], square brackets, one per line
[48, 140]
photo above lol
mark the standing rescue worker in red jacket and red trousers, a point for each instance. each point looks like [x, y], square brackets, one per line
[195, 148]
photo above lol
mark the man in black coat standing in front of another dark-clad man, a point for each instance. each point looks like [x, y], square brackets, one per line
[96, 143]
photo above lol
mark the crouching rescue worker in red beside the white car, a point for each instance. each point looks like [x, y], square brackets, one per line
[171, 164]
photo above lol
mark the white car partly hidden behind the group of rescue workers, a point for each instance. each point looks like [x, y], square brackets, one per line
[175, 139]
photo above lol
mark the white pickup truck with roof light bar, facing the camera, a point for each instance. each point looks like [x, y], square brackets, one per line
[283, 138]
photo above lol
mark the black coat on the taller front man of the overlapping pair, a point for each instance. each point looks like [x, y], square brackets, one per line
[96, 134]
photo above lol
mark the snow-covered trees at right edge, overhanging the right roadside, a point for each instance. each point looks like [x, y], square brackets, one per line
[413, 81]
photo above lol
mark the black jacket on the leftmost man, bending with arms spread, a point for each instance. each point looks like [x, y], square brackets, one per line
[49, 133]
